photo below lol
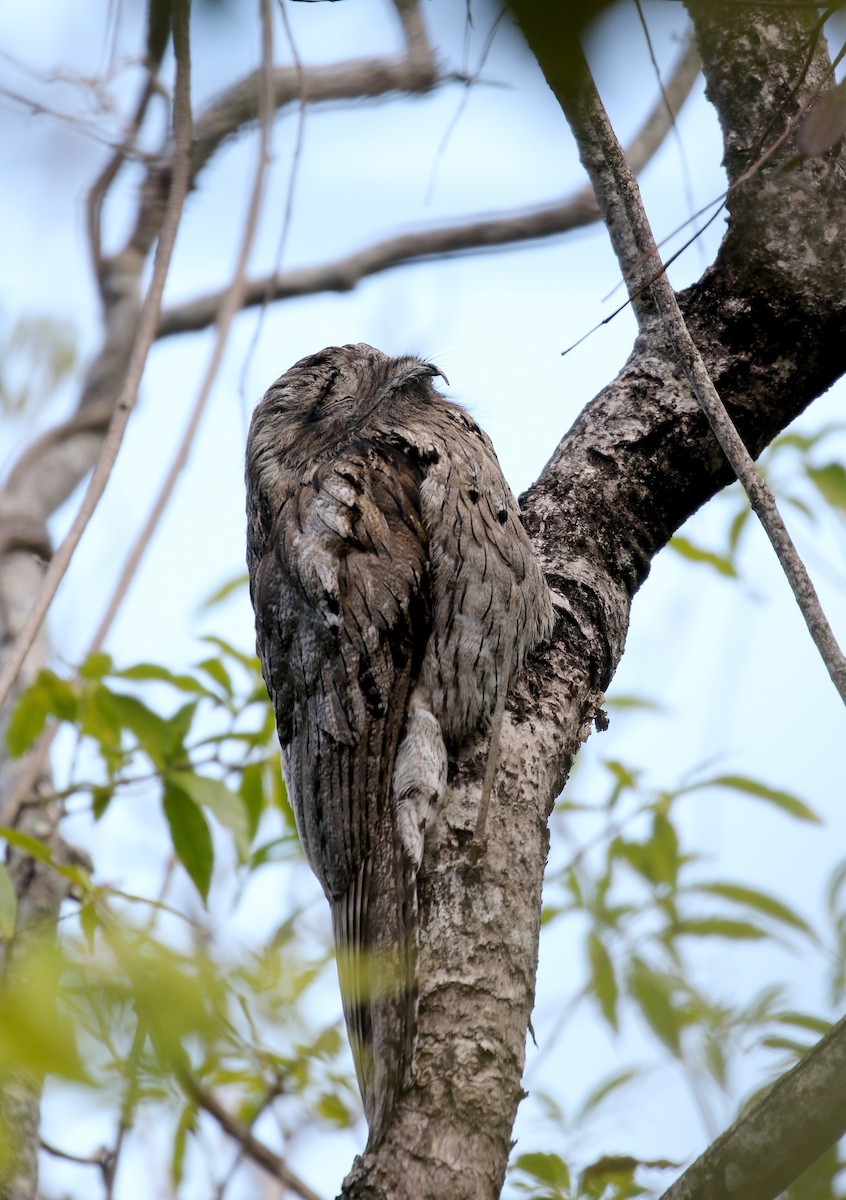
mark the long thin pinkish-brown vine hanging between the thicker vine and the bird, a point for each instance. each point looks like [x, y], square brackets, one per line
[230, 307]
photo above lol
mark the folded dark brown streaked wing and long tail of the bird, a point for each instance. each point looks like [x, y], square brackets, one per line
[340, 584]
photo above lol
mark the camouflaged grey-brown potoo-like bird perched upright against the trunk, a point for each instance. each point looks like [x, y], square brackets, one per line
[397, 596]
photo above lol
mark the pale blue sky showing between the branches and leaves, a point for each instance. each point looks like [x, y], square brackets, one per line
[729, 662]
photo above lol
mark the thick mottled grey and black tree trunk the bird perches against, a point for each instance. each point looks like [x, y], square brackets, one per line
[770, 320]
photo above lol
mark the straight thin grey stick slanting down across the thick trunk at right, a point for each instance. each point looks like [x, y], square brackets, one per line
[620, 196]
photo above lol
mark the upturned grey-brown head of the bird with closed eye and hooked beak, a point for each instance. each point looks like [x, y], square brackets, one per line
[328, 399]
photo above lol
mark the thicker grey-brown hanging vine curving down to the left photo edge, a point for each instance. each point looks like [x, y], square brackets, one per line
[148, 326]
